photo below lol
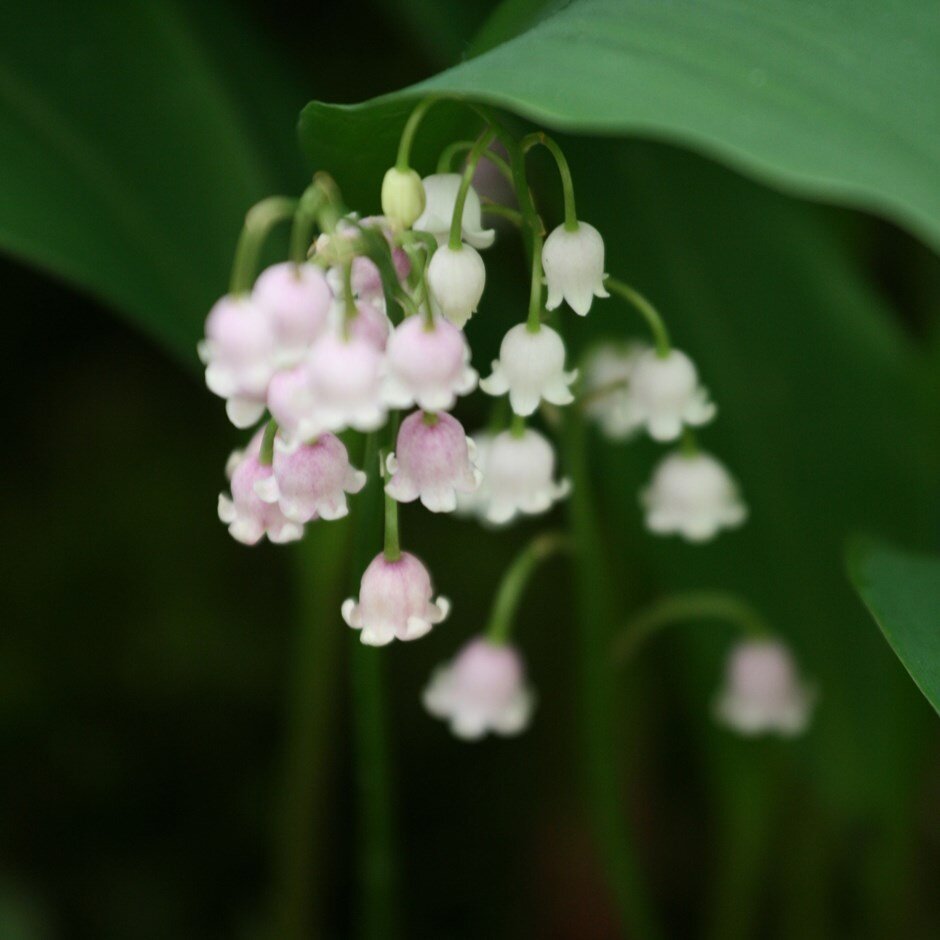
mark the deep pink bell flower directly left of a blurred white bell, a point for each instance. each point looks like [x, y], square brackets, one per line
[433, 462]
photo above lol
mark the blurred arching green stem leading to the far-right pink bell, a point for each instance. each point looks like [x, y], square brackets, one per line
[696, 605]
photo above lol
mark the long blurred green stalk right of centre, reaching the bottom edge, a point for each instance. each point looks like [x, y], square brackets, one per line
[597, 696]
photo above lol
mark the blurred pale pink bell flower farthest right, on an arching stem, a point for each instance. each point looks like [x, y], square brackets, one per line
[763, 692]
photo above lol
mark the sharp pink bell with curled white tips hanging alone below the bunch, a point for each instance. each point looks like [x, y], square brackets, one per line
[394, 602]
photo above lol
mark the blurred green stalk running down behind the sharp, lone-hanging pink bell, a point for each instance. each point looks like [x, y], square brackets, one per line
[377, 869]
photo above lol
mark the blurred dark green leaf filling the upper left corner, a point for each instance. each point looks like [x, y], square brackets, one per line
[131, 146]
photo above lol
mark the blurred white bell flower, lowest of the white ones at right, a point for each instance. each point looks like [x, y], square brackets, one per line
[694, 496]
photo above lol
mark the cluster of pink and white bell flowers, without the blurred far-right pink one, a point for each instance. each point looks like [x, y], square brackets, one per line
[366, 331]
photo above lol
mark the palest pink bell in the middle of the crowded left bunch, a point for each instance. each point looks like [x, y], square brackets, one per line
[345, 384]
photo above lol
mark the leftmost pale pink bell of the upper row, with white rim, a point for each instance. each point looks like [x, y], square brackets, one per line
[239, 353]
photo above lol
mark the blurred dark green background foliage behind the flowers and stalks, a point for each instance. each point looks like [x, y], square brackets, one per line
[174, 709]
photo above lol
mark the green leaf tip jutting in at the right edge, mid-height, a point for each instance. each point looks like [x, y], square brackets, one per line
[901, 590]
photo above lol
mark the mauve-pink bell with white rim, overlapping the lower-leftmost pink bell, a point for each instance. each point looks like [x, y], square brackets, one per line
[311, 481]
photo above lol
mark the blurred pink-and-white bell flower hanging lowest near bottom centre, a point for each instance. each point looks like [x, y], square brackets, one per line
[483, 689]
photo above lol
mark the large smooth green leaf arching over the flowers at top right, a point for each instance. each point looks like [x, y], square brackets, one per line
[835, 101]
